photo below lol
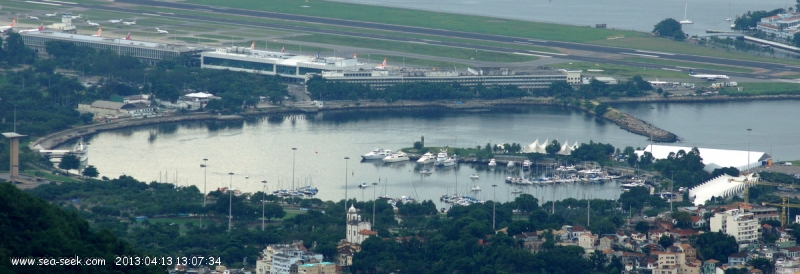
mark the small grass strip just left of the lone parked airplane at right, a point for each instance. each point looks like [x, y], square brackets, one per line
[621, 71]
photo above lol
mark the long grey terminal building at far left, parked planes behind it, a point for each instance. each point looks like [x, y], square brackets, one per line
[149, 52]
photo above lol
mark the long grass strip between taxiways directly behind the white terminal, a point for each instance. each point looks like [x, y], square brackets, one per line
[432, 50]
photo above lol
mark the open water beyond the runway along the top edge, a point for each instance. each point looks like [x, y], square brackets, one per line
[639, 15]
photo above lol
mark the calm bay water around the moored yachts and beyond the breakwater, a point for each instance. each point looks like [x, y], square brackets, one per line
[261, 149]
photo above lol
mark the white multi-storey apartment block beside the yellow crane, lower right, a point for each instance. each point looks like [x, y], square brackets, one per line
[742, 226]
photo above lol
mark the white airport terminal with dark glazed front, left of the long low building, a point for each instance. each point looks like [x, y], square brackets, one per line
[293, 68]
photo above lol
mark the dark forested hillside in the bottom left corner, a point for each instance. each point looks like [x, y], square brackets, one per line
[31, 227]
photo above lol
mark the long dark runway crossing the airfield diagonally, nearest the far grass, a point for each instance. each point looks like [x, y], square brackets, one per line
[445, 33]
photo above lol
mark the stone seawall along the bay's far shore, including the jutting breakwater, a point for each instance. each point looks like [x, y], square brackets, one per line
[628, 122]
